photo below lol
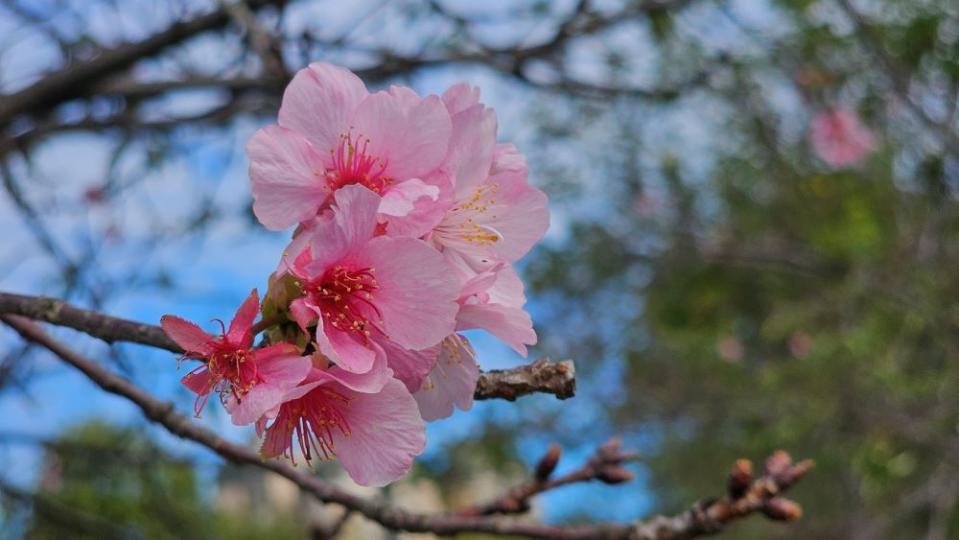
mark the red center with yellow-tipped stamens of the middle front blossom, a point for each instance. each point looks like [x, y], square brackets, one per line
[345, 297]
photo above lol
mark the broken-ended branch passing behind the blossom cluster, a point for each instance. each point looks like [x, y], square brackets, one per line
[542, 376]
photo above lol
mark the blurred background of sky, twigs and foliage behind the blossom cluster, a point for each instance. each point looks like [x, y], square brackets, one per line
[753, 246]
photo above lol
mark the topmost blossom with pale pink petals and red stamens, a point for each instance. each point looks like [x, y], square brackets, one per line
[332, 133]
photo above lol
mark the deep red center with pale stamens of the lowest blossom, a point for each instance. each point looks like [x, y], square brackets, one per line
[313, 419]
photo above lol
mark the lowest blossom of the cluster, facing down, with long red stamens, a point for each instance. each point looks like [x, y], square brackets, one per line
[374, 433]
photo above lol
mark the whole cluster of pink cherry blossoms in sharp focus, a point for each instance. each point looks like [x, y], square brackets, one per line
[408, 216]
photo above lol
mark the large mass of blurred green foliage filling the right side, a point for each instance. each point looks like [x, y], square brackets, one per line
[784, 303]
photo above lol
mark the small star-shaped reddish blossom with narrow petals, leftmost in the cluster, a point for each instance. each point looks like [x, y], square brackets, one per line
[250, 381]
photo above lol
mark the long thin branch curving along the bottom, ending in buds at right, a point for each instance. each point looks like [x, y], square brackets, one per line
[746, 495]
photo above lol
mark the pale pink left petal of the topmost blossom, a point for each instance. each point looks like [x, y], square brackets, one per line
[286, 177]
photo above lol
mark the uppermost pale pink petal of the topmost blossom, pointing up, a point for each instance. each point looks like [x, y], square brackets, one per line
[319, 102]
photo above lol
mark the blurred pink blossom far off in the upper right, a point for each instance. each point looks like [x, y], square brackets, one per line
[839, 138]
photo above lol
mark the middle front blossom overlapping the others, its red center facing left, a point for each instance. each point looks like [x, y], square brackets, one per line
[360, 289]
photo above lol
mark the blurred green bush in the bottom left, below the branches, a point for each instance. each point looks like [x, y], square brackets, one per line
[125, 480]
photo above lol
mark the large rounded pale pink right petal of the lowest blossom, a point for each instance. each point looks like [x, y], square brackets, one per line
[385, 433]
